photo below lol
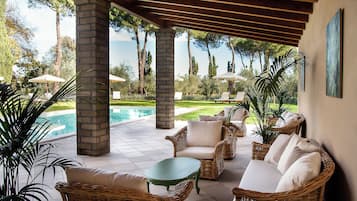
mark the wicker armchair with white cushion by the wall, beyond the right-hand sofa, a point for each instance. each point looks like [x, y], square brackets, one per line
[291, 123]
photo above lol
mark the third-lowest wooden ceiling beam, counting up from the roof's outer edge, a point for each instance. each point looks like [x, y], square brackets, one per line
[229, 22]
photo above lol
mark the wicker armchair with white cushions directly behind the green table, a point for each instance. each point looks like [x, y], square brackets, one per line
[211, 156]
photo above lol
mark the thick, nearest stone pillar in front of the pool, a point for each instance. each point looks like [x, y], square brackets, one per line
[93, 81]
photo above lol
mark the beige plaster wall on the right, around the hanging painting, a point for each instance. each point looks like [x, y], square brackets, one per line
[332, 121]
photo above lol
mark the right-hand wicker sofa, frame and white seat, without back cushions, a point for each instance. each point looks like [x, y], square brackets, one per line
[312, 190]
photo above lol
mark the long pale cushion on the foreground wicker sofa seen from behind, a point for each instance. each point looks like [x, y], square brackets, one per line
[107, 178]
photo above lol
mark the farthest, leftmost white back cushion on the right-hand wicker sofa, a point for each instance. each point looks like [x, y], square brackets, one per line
[277, 149]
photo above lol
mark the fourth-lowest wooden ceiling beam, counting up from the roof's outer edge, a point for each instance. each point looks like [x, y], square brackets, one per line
[225, 16]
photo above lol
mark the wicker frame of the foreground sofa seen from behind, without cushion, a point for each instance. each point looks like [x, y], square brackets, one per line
[87, 192]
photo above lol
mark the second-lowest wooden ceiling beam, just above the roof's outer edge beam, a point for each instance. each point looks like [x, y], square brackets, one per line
[217, 27]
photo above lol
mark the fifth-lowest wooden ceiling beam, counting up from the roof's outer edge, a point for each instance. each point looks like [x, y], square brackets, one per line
[232, 9]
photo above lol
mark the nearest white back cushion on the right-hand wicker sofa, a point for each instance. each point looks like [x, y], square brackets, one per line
[301, 171]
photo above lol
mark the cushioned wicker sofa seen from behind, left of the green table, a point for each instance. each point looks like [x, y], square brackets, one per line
[97, 185]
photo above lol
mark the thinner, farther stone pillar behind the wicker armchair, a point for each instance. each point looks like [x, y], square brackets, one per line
[165, 78]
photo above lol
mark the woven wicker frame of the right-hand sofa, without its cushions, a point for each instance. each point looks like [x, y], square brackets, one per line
[312, 191]
